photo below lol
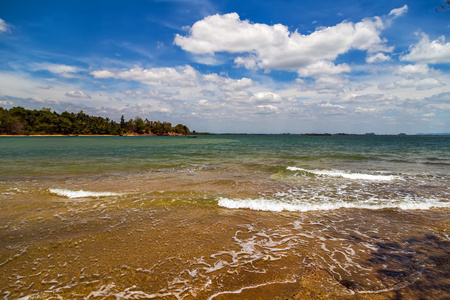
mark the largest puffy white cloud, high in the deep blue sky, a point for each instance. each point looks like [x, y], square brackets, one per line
[275, 47]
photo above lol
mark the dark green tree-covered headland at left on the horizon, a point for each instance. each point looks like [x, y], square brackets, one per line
[21, 121]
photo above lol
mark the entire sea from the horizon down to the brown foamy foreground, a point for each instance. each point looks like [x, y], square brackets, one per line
[225, 217]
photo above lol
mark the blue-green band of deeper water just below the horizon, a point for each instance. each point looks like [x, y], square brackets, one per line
[63, 155]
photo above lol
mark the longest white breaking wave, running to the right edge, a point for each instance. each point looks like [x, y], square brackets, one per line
[277, 205]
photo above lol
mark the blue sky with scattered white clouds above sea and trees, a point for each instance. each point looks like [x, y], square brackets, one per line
[285, 66]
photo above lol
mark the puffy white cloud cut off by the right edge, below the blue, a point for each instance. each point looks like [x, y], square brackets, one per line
[426, 51]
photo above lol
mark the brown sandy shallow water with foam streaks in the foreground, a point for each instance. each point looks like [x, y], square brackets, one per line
[164, 236]
